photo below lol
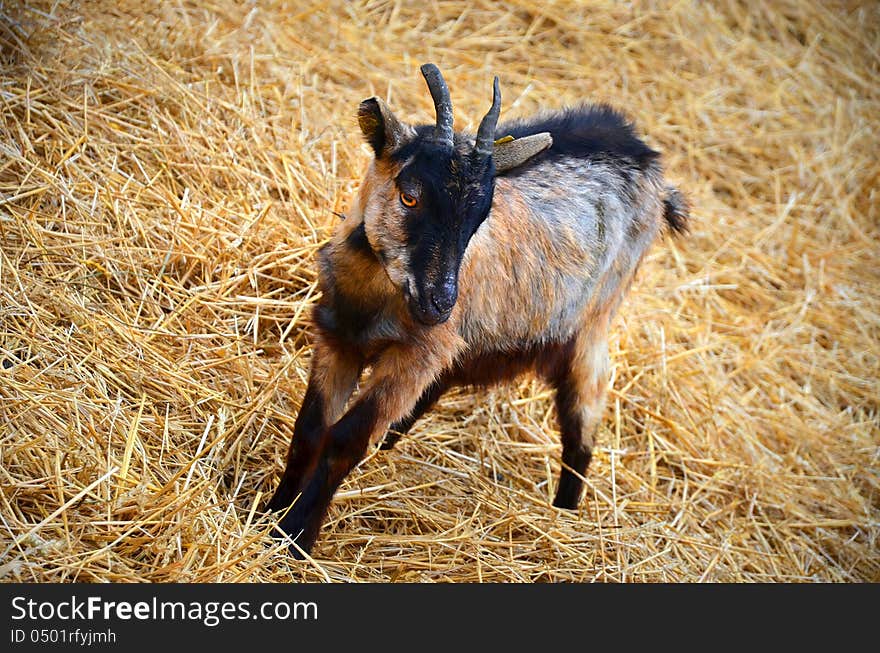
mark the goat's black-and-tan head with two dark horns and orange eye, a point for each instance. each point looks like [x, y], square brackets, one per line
[427, 192]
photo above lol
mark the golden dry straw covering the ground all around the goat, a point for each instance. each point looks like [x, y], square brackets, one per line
[168, 171]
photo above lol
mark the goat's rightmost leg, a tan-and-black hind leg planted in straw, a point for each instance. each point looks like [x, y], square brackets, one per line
[581, 387]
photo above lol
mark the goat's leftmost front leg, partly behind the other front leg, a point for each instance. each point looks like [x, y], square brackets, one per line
[332, 380]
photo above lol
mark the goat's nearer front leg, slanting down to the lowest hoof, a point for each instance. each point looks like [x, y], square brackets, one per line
[398, 380]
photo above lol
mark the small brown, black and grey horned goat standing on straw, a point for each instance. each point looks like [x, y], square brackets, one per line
[467, 261]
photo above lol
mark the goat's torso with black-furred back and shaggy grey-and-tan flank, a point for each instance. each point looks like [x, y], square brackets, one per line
[566, 232]
